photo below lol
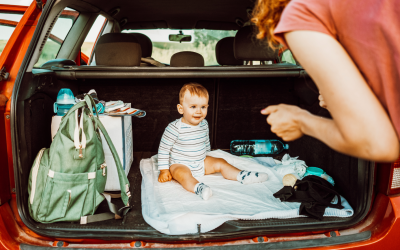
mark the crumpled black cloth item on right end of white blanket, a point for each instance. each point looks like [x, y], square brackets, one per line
[314, 193]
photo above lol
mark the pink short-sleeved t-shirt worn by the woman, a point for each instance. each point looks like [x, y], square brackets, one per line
[369, 30]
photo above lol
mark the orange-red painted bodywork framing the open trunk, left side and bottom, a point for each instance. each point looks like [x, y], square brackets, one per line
[382, 221]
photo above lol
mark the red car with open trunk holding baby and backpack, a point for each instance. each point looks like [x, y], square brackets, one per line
[43, 54]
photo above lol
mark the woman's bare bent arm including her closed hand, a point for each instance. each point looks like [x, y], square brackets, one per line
[360, 125]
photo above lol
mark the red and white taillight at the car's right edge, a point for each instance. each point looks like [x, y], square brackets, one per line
[389, 178]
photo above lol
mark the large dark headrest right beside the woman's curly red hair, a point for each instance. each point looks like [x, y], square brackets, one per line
[248, 47]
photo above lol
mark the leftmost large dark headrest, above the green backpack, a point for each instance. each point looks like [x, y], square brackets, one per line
[118, 49]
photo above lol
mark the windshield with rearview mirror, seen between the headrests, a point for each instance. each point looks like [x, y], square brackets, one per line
[203, 42]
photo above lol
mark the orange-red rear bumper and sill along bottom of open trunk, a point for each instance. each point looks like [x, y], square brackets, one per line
[383, 222]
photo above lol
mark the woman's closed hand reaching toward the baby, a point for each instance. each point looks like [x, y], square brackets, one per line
[284, 120]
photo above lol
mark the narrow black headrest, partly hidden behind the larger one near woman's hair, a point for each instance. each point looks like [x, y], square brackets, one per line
[224, 52]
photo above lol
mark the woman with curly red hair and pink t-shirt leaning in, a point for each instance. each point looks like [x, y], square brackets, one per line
[351, 50]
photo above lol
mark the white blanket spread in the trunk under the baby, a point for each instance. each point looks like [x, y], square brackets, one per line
[170, 209]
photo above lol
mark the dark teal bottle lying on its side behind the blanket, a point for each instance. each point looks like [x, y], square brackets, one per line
[257, 147]
